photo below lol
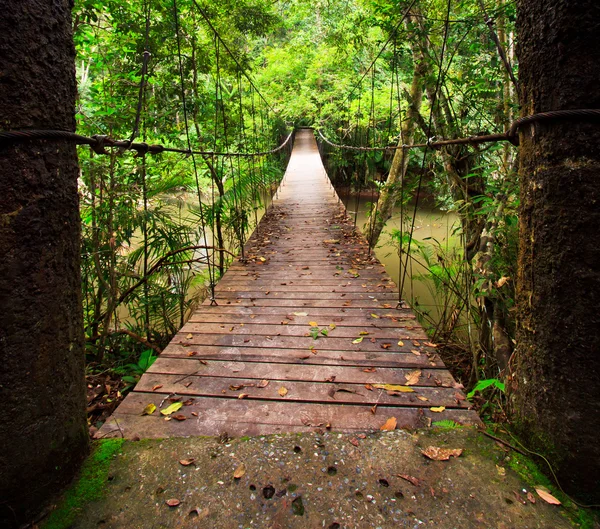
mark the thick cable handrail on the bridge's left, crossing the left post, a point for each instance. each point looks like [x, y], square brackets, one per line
[99, 143]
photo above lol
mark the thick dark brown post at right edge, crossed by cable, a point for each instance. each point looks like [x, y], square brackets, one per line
[555, 383]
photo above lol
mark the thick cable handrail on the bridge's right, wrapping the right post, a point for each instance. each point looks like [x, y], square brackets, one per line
[510, 135]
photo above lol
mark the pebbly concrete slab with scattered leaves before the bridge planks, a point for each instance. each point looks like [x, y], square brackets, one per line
[319, 480]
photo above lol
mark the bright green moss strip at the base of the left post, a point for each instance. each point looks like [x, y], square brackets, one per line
[89, 486]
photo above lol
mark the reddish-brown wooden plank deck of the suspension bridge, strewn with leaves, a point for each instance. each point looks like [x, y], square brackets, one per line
[250, 366]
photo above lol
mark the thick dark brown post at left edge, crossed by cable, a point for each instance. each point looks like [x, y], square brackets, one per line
[43, 432]
